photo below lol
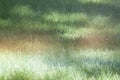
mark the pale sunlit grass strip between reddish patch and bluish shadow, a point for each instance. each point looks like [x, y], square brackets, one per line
[89, 53]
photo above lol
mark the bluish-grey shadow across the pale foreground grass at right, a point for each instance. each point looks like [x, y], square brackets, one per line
[89, 66]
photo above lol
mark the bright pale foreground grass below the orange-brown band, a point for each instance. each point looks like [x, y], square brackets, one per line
[85, 64]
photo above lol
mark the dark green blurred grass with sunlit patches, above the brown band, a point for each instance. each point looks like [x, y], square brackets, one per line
[57, 16]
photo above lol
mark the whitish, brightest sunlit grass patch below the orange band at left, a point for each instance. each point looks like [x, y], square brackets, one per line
[18, 62]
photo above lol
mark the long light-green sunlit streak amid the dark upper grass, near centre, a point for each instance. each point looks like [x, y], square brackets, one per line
[62, 17]
